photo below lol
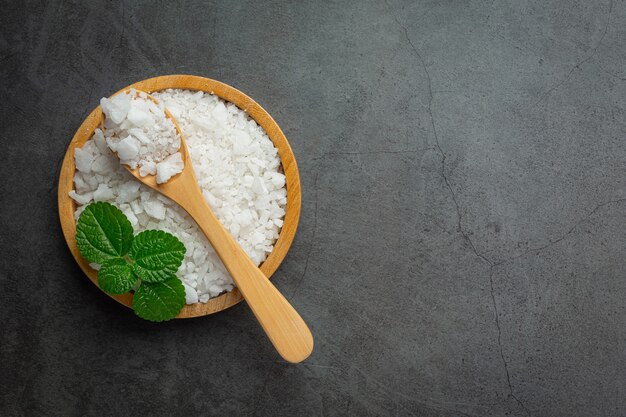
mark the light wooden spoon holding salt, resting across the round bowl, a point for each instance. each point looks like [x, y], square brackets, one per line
[283, 325]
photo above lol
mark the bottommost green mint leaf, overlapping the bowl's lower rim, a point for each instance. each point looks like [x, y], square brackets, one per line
[159, 301]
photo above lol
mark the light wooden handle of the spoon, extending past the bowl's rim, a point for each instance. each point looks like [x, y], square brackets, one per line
[283, 325]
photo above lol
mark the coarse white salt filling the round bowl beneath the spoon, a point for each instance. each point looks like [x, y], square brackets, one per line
[237, 167]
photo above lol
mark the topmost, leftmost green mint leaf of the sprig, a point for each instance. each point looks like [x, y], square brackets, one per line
[103, 232]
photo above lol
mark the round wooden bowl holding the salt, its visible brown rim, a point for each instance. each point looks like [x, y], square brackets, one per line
[67, 206]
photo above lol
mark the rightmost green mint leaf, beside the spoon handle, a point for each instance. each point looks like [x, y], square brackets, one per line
[157, 255]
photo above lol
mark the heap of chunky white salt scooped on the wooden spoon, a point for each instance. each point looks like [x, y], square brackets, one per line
[137, 129]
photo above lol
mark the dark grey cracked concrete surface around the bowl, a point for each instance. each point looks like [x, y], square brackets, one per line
[462, 245]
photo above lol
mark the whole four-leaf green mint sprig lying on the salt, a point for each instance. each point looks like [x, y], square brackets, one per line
[105, 236]
